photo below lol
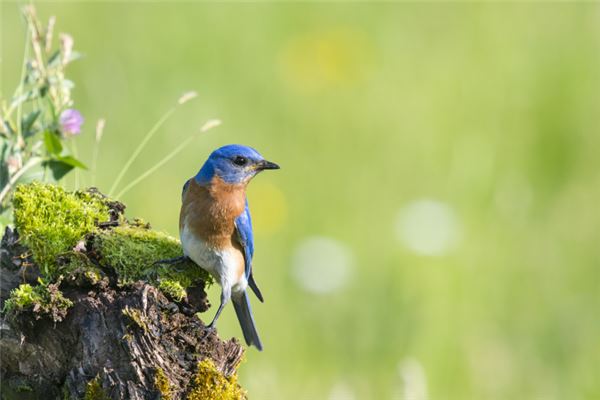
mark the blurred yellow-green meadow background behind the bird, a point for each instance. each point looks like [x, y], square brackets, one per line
[434, 230]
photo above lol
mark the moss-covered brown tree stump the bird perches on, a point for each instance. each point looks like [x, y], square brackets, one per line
[87, 316]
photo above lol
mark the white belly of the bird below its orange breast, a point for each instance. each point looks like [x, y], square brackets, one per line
[221, 264]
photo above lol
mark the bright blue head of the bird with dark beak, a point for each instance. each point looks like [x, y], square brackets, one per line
[233, 163]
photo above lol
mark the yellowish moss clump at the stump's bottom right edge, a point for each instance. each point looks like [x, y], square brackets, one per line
[210, 384]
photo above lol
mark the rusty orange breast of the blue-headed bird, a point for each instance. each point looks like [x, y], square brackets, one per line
[210, 211]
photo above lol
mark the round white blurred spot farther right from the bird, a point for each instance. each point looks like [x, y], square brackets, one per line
[428, 227]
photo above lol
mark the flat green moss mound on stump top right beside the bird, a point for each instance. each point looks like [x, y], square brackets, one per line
[132, 249]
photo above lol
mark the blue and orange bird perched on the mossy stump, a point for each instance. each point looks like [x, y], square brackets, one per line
[215, 228]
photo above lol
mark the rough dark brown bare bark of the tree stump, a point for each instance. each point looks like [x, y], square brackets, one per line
[118, 337]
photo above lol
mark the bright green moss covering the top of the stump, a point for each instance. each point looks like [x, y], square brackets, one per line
[51, 222]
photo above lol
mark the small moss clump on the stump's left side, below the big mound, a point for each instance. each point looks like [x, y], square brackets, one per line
[42, 300]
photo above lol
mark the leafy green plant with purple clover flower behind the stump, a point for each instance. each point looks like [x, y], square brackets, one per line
[37, 119]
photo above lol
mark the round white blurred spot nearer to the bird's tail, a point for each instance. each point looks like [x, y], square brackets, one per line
[322, 264]
